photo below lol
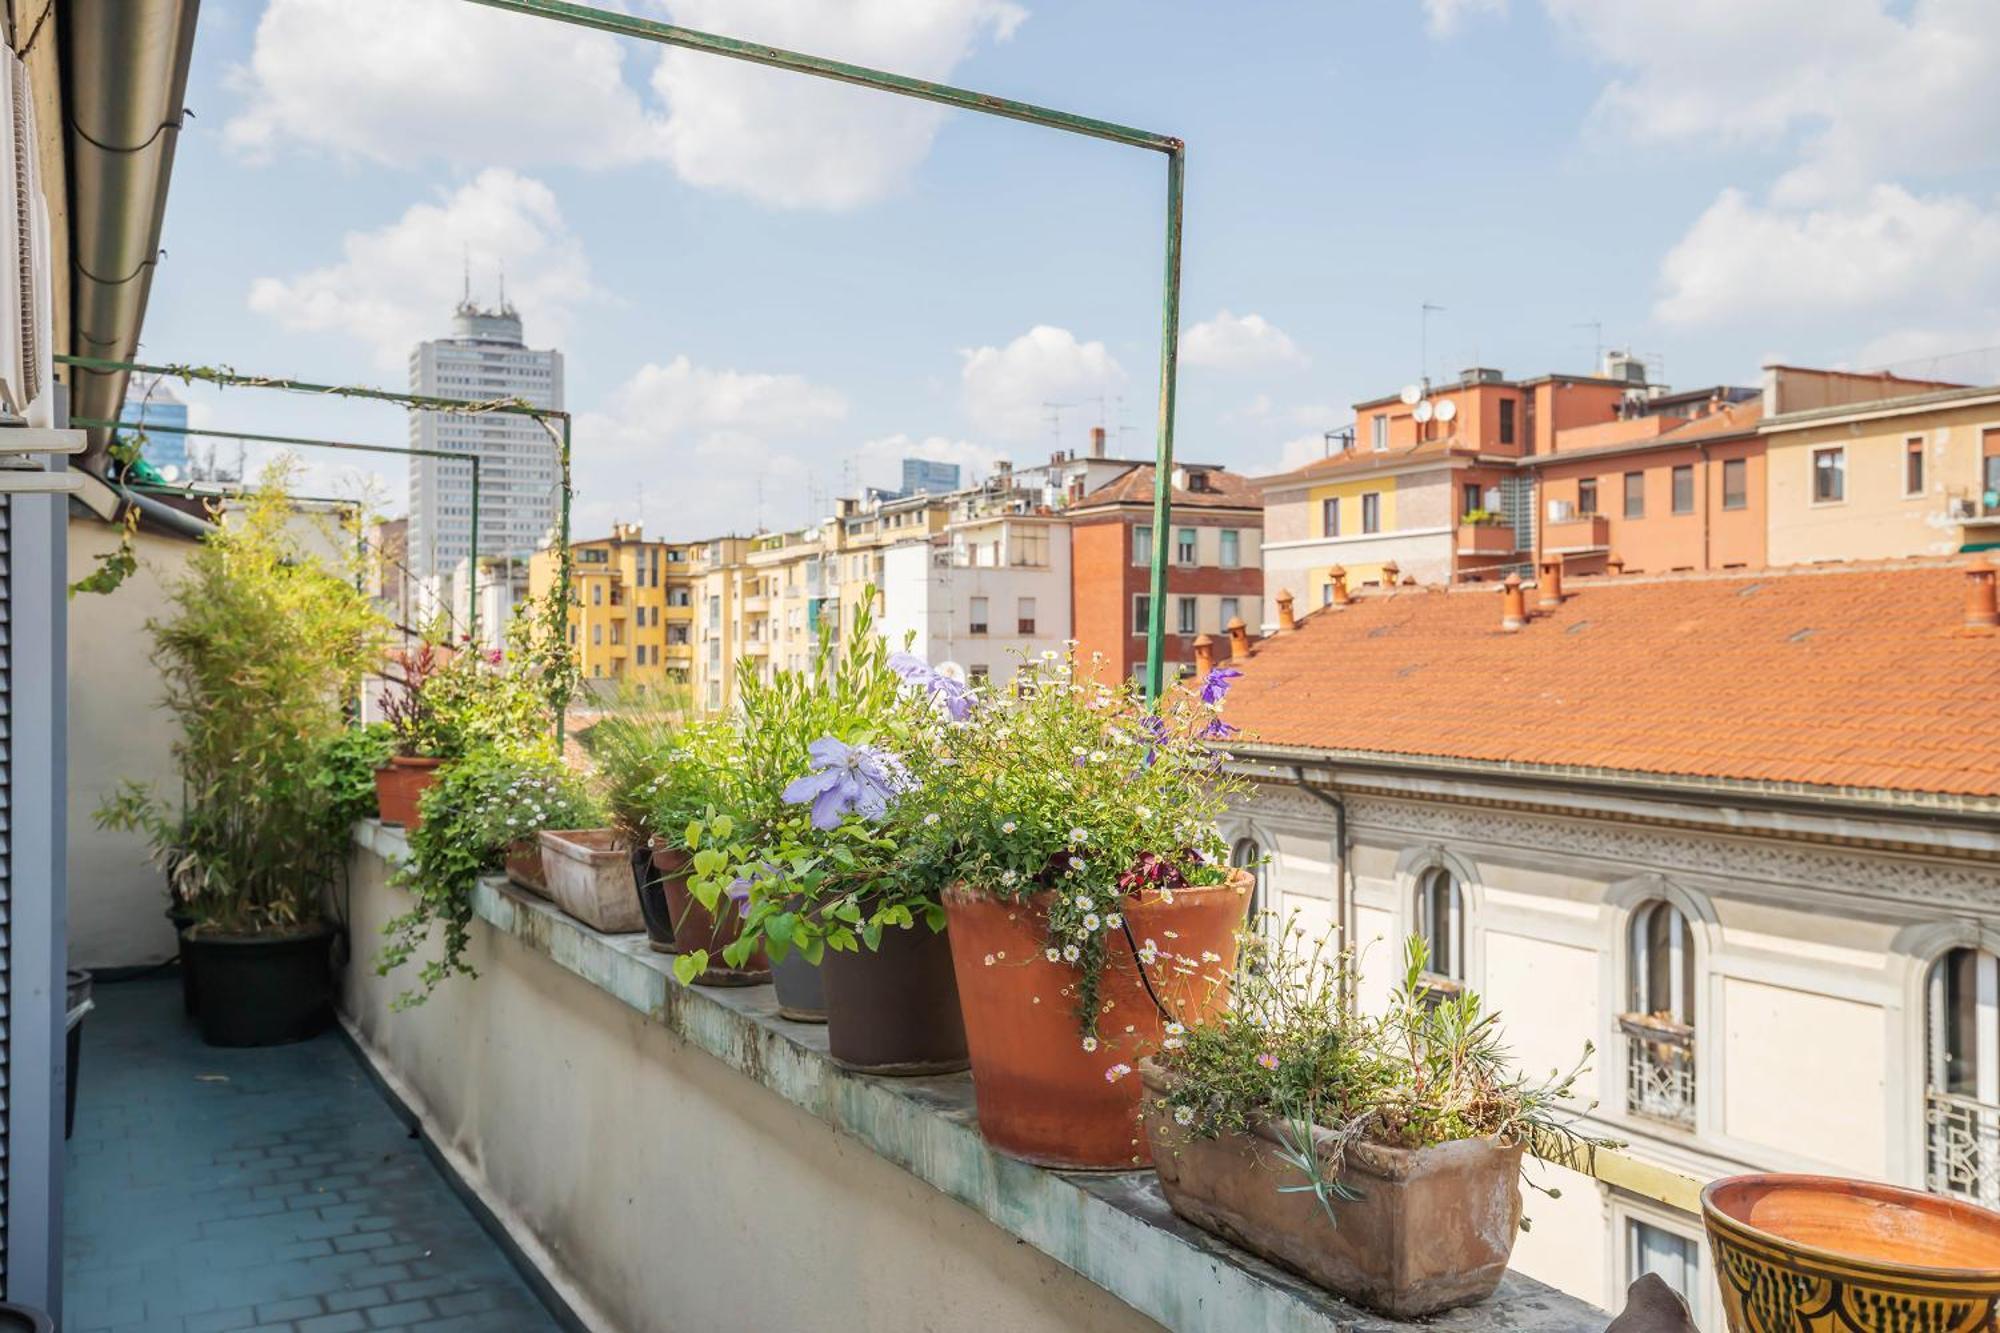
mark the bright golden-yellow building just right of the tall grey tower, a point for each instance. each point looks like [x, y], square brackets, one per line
[631, 607]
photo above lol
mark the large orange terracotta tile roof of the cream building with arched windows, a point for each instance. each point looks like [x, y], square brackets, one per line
[1861, 678]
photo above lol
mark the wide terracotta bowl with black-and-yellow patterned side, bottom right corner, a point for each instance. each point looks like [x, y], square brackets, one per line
[1815, 1252]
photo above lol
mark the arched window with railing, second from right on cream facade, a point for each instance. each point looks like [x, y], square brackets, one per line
[1659, 1028]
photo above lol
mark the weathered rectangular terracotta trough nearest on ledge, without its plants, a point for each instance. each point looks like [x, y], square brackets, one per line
[1433, 1228]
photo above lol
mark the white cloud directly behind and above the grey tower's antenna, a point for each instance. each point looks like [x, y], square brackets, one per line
[393, 283]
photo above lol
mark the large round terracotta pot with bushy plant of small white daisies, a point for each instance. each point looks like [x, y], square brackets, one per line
[1089, 898]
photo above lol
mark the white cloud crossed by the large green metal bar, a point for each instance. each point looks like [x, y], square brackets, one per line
[809, 143]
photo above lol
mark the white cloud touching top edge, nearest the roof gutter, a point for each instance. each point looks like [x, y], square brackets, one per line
[415, 81]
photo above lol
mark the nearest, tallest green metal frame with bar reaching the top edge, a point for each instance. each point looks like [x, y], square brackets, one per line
[987, 105]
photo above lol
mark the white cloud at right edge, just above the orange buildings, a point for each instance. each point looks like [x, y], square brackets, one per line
[1891, 251]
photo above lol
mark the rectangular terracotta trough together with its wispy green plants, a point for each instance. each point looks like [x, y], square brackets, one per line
[1379, 1158]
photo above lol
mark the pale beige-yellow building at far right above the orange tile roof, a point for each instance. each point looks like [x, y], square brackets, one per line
[1915, 475]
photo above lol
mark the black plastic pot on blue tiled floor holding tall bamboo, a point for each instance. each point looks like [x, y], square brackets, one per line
[263, 990]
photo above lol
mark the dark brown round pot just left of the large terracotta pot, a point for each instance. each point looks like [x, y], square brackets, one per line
[895, 1012]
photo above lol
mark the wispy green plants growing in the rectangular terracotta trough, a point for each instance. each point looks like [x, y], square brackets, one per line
[1293, 1054]
